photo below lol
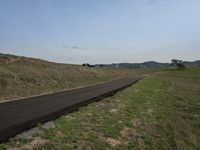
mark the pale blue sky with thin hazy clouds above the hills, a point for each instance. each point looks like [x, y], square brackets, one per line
[101, 31]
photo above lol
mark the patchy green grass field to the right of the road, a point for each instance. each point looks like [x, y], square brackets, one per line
[160, 112]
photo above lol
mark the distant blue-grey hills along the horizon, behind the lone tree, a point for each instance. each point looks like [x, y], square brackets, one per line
[148, 64]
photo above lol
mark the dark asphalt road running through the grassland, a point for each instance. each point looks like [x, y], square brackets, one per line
[20, 115]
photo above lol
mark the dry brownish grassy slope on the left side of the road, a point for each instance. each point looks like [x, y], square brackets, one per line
[23, 77]
